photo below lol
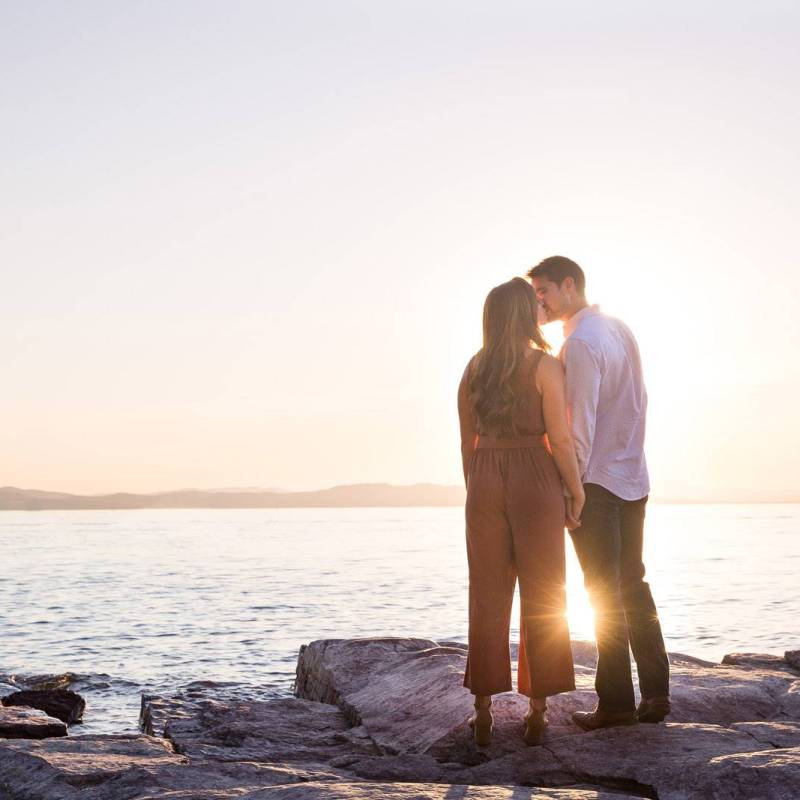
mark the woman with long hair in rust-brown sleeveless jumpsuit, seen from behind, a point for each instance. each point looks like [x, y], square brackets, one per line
[517, 450]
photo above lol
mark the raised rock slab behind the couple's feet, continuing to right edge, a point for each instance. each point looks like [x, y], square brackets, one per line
[408, 693]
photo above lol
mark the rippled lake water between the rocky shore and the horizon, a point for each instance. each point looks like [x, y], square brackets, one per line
[134, 601]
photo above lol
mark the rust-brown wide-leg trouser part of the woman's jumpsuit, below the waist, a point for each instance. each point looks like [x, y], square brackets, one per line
[515, 515]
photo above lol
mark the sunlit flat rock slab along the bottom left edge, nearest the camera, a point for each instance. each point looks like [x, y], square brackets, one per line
[144, 768]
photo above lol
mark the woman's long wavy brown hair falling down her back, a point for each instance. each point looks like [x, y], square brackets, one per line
[510, 327]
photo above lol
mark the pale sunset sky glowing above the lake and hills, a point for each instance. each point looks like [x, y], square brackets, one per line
[248, 243]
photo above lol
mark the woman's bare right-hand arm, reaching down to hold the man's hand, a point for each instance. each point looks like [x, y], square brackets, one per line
[550, 383]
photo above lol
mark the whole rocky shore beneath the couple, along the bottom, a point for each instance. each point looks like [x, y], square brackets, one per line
[375, 718]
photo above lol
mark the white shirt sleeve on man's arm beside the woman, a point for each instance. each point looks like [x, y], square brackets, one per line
[583, 390]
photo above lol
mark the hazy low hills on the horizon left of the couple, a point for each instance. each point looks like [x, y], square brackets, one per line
[359, 494]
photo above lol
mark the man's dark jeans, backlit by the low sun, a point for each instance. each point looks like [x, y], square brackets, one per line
[609, 547]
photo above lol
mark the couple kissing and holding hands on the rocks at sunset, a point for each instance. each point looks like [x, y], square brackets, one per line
[534, 429]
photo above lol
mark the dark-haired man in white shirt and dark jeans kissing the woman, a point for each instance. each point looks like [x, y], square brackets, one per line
[607, 403]
